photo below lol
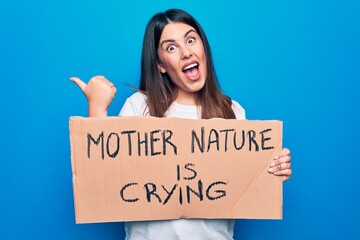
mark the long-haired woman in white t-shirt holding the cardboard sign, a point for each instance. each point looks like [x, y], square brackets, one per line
[177, 80]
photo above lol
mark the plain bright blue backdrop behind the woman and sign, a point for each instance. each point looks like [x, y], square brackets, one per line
[298, 61]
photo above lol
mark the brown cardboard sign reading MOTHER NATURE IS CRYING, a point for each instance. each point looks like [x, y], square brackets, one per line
[145, 168]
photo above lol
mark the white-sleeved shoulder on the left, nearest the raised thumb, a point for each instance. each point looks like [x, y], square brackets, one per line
[135, 105]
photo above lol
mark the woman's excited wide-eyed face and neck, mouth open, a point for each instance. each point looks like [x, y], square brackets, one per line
[182, 57]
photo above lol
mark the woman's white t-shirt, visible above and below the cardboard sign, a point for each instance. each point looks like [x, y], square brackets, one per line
[178, 229]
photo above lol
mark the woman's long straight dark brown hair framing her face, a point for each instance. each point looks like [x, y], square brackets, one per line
[160, 90]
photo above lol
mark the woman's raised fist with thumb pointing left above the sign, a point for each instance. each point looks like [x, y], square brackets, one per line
[99, 92]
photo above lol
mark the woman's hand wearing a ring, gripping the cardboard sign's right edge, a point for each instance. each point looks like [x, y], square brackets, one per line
[281, 165]
